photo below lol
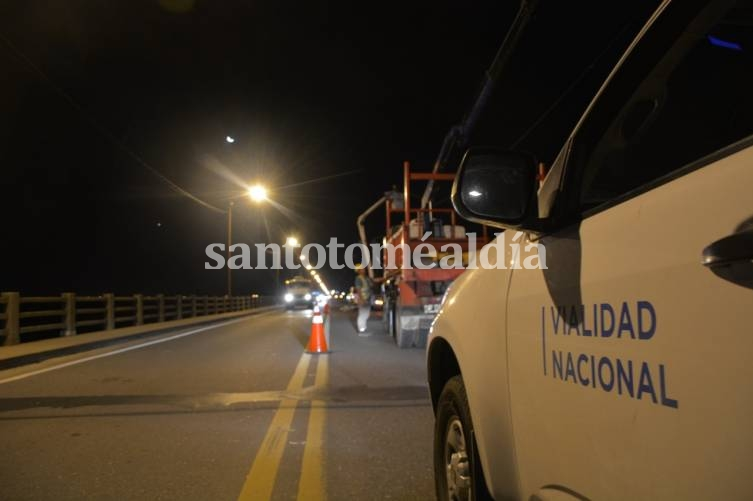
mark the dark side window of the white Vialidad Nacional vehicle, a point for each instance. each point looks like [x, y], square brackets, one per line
[694, 100]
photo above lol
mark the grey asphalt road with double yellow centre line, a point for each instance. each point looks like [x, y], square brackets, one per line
[230, 411]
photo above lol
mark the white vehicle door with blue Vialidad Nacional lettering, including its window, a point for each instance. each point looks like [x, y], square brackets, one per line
[630, 356]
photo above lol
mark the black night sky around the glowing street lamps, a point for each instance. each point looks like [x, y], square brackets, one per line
[95, 94]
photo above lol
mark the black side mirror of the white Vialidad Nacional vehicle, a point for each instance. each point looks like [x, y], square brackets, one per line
[495, 187]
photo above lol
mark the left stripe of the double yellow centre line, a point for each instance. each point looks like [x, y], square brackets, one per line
[260, 480]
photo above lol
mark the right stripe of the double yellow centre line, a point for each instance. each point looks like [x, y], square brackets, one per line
[311, 483]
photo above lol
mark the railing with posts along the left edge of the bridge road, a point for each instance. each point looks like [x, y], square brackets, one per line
[67, 314]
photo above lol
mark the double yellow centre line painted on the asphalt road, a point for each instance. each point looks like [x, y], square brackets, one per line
[260, 480]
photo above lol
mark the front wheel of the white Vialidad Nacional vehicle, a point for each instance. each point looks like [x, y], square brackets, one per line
[457, 468]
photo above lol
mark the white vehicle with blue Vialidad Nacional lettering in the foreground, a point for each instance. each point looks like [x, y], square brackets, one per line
[623, 370]
